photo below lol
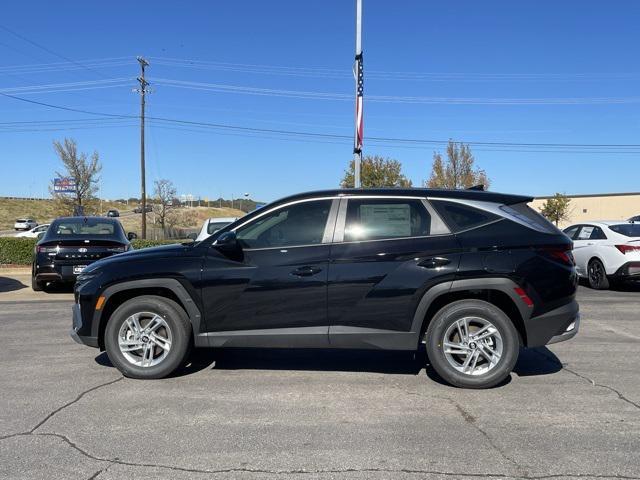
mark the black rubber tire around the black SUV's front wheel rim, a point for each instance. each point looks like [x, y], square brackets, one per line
[178, 323]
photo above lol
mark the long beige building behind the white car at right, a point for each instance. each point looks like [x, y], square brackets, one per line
[598, 206]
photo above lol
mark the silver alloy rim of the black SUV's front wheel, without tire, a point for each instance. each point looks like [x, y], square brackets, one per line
[144, 339]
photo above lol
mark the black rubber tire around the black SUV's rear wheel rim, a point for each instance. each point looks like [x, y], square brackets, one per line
[448, 316]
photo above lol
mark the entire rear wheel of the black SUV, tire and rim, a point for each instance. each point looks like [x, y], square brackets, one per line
[472, 344]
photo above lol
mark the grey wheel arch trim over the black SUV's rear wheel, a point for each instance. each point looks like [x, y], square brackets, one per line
[496, 291]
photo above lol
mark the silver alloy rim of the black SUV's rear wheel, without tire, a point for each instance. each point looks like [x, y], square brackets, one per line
[472, 345]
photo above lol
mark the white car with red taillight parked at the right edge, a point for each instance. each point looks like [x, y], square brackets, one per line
[606, 251]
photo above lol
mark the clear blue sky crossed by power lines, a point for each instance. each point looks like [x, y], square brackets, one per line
[518, 72]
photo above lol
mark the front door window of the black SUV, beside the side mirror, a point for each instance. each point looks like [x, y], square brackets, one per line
[298, 224]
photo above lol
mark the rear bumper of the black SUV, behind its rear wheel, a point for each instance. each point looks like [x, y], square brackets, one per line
[554, 326]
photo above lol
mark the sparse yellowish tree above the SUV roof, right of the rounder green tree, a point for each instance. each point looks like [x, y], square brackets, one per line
[458, 171]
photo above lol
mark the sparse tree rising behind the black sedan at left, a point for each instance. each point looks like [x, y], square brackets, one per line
[86, 173]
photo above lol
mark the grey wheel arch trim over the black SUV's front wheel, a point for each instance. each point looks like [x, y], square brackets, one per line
[171, 288]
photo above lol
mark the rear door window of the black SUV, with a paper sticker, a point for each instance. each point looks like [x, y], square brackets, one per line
[379, 219]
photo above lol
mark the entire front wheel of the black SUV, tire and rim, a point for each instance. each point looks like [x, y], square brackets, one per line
[148, 337]
